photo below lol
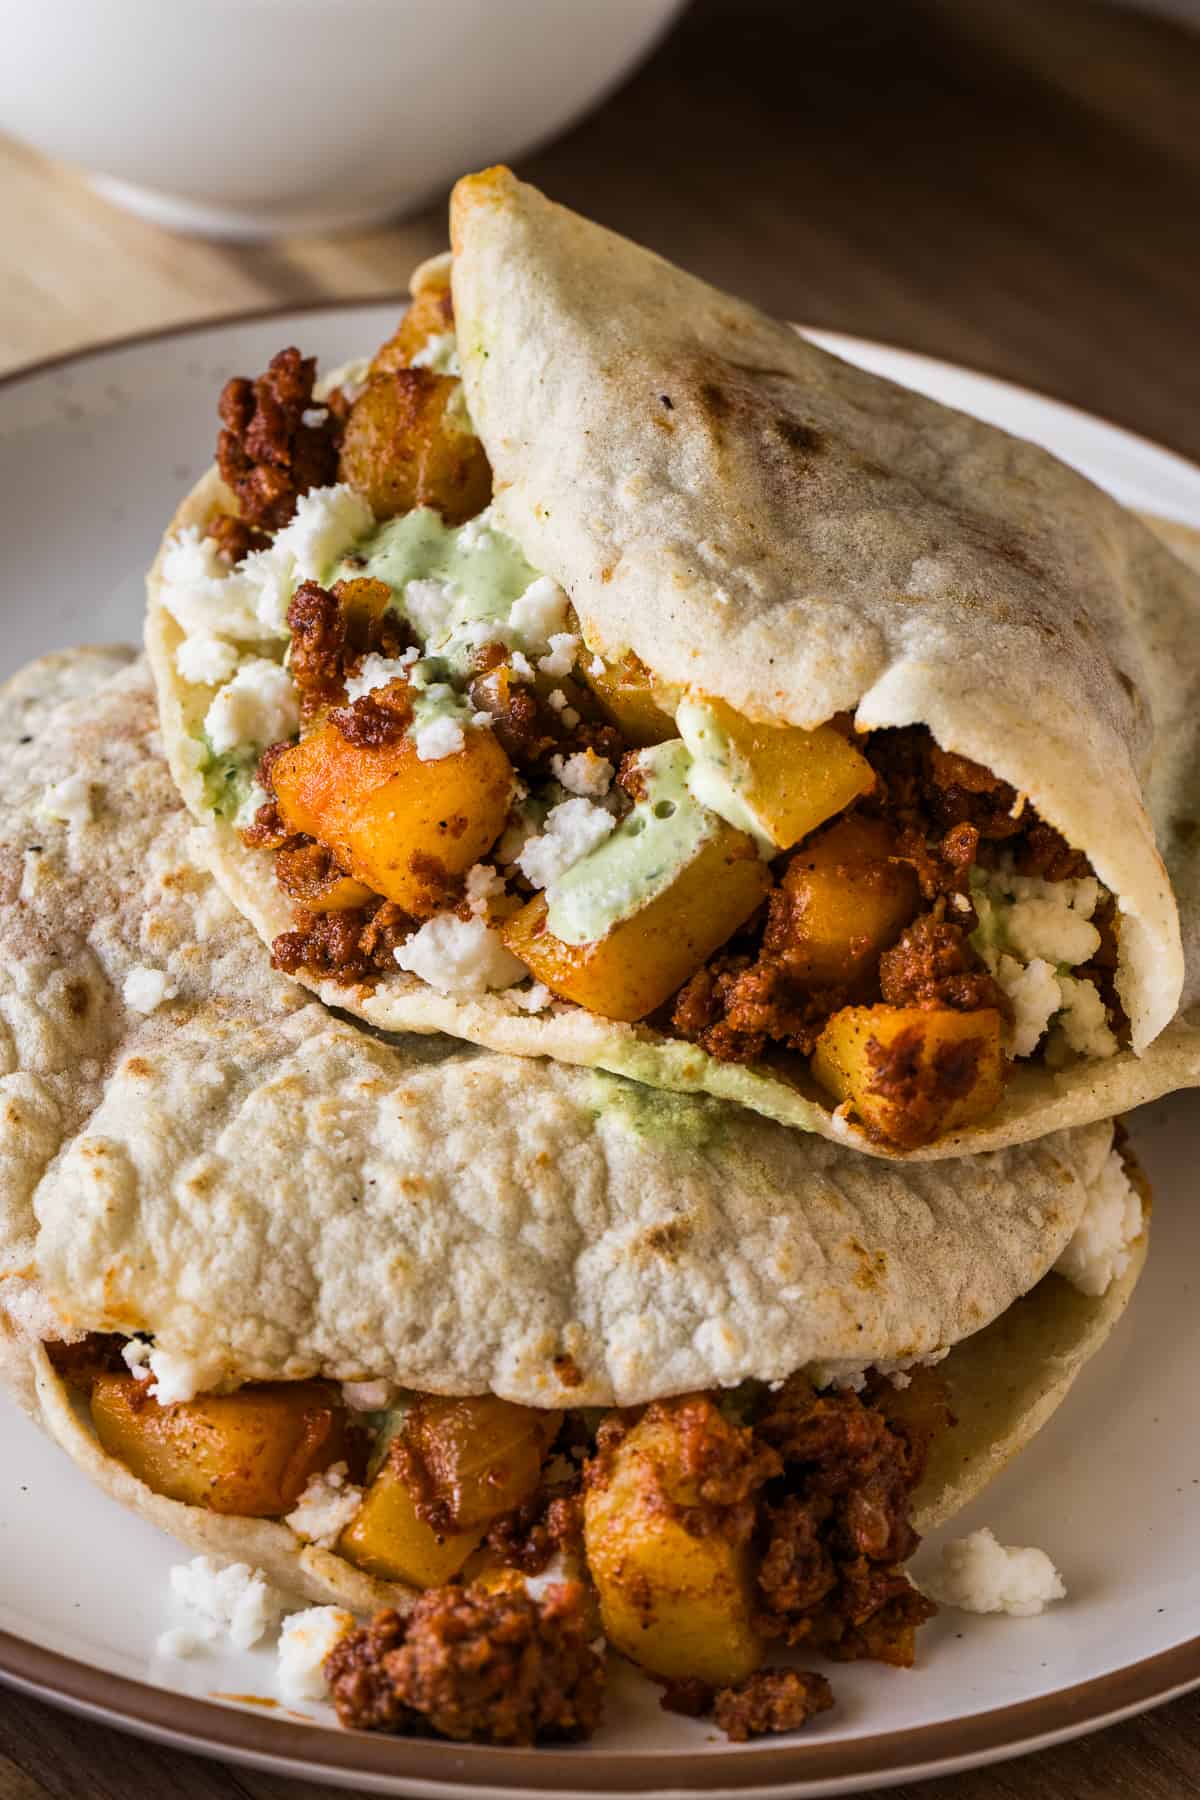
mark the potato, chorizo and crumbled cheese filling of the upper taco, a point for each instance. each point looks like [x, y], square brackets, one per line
[407, 717]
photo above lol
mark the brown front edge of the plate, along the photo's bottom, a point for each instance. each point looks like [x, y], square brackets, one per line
[211, 1729]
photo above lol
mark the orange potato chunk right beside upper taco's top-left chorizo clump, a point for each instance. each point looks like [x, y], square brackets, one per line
[407, 444]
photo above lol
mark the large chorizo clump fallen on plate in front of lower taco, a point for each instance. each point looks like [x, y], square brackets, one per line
[476, 1666]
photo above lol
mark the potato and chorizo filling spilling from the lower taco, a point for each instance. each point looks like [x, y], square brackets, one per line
[697, 1536]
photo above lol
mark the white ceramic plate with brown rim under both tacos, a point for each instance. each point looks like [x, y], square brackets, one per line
[94, 454]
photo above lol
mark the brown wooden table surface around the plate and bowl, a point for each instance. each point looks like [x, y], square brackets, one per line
[1014, 184]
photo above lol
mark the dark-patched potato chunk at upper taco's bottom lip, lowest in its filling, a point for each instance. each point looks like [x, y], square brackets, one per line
[913, 1074]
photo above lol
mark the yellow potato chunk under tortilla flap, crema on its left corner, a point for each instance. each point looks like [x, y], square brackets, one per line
[791, 780]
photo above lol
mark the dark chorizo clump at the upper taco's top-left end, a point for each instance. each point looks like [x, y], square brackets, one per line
[267, 453]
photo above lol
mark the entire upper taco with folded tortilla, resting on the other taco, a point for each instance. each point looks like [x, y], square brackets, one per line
[589, 714]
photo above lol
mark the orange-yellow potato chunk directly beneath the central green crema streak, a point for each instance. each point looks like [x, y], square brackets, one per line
[649, 957]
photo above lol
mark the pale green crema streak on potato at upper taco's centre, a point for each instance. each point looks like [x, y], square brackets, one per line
[641, 859]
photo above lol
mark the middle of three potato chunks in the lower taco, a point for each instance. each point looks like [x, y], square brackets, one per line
[481, 1457]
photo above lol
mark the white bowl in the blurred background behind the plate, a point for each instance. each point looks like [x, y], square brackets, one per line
[255, 118]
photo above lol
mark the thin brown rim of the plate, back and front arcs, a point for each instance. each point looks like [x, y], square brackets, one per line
[208, 1727]
